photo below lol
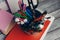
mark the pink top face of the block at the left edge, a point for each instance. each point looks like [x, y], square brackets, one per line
[5, 20]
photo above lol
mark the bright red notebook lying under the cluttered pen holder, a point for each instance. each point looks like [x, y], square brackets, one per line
[17, 34]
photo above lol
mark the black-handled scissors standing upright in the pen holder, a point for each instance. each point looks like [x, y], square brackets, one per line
[33, 7]
